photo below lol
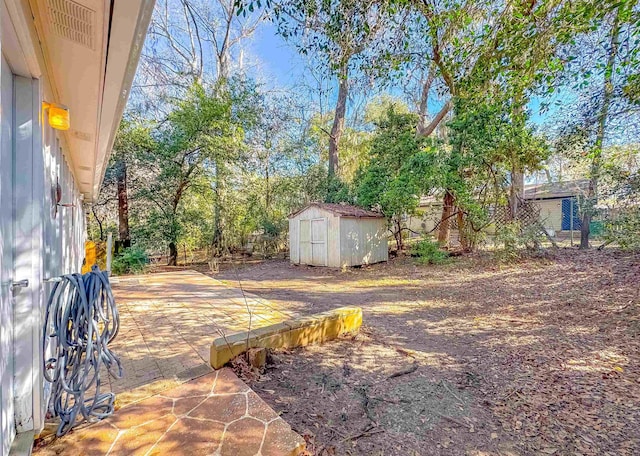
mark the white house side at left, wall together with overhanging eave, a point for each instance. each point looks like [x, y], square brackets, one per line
[35, 242]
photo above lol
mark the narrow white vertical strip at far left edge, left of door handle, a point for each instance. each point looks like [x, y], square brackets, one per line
[7, 430]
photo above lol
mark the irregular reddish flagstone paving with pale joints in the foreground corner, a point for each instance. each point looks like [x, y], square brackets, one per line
[216, 414]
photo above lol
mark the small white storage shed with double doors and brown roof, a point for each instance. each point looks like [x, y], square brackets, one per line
[337, 235]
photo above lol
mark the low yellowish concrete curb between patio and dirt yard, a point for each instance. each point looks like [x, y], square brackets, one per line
[288, 334]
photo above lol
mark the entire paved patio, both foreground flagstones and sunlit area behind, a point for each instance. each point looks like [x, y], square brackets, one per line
[170, 400]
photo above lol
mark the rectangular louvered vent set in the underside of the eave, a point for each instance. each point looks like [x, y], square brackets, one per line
[72, 21]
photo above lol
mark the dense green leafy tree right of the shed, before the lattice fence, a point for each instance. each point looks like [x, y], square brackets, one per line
[490, 143]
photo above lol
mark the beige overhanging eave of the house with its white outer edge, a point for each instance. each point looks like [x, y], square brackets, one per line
[92, 80]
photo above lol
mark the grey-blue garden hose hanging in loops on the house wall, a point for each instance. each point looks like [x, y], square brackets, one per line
[80, 320]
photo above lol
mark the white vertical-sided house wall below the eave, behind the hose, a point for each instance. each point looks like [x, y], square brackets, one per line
[44, 245]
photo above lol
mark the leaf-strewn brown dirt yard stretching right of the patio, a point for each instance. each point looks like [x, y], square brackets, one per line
[467, 358]
